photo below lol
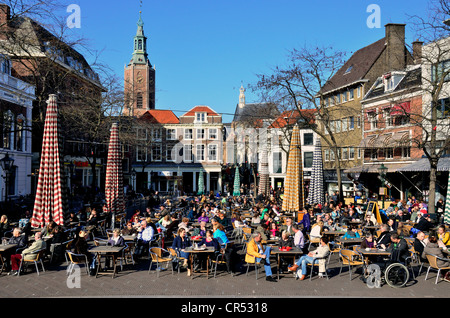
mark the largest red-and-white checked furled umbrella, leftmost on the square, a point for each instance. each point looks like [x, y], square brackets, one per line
[51, 196]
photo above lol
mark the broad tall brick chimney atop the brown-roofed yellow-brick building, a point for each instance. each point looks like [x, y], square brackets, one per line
[395, 46]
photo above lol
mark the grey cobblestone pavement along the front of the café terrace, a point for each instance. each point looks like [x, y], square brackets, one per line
[137, 282]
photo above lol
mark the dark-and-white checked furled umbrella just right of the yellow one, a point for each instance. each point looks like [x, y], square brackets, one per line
[316, 192]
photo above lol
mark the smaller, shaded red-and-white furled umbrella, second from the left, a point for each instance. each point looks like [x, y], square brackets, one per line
[114, 193]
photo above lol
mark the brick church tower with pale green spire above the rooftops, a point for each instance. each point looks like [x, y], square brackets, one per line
[139, 77]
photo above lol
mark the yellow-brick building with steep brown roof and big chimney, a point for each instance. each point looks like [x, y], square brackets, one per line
[343, 95]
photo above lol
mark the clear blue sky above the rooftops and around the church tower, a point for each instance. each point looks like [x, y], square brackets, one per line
[203, 50]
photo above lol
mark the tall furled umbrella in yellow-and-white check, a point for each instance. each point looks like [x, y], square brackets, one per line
[293, 198]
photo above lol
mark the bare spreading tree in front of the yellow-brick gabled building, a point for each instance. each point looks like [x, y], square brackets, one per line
[298, 86]
